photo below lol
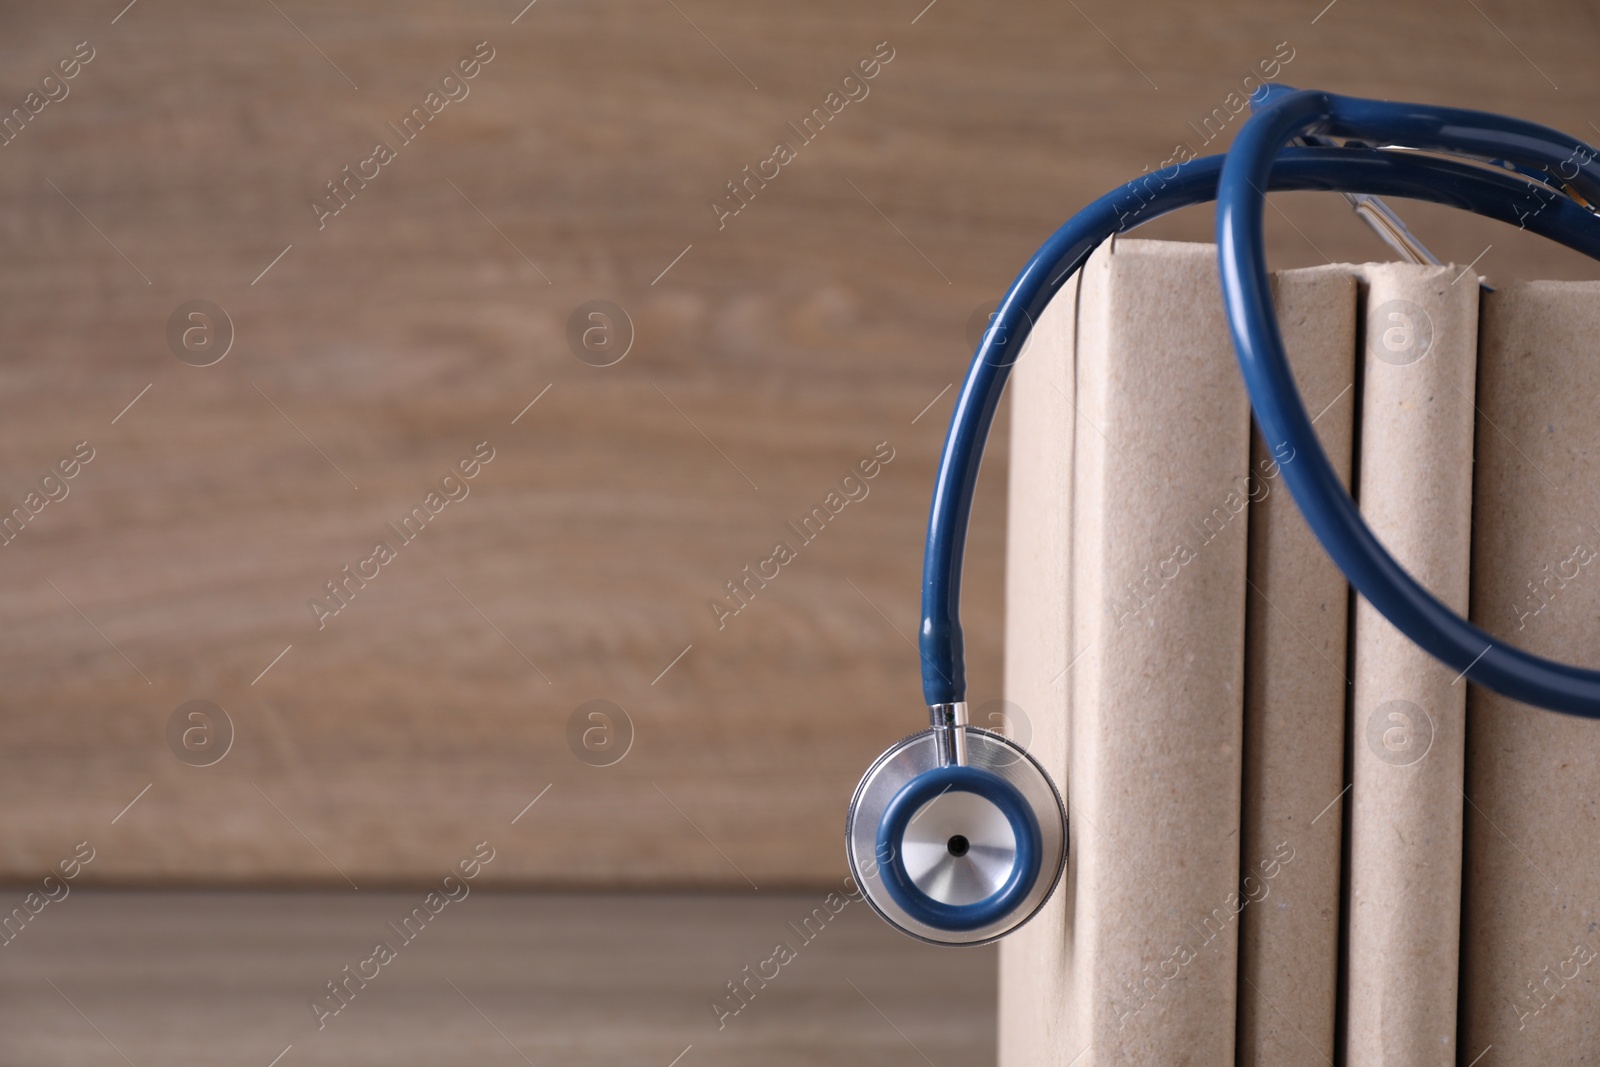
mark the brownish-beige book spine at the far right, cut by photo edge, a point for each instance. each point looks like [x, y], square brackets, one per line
[1530, 946]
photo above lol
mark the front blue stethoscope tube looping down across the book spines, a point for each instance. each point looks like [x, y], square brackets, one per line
[1276, 399]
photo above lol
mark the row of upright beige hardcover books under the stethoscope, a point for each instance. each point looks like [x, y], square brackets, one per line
[1297, 839]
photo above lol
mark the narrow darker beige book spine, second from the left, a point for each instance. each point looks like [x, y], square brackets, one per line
[1295, 697]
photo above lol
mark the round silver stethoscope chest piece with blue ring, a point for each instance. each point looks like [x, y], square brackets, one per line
[956, 853]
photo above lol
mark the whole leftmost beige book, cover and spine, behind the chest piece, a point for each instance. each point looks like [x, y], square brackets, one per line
[1132, 487]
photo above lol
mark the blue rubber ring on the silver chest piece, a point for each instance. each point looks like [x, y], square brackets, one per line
[966, 780]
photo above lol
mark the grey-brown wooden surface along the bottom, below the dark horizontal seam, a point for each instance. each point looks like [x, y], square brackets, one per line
[228, 978]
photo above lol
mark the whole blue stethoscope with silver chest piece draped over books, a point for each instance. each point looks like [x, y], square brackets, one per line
[956, 834]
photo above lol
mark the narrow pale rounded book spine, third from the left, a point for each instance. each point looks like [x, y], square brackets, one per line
[1407, 724]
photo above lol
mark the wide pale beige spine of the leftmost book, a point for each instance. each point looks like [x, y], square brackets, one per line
[1159, 541]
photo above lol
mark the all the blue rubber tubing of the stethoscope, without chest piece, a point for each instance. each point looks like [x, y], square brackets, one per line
[1257, 164]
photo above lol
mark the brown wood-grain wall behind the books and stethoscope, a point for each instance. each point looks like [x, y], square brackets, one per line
[774, 353]
